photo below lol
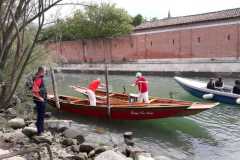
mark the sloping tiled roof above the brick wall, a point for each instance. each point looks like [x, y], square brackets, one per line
[210, 16]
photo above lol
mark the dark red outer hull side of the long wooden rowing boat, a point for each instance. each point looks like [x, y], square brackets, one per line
[130, 113]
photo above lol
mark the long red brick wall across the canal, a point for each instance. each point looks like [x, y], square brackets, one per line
[213, 41]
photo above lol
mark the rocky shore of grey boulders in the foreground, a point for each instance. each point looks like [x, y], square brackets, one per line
[64, 140]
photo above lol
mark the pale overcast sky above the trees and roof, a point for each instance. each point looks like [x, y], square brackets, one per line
[156, 8]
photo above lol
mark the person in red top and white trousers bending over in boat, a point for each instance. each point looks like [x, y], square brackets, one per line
[92, 87]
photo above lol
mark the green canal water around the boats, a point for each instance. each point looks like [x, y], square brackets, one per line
[210, 135]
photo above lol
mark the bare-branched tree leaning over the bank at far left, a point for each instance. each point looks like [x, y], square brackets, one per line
[18, 18]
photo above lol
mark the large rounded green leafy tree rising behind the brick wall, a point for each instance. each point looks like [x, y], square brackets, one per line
[95, 21]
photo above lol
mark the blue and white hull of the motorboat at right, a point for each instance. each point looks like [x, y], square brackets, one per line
[218, 96]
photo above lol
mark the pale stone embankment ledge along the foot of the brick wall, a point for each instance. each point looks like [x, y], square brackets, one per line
[166, 68]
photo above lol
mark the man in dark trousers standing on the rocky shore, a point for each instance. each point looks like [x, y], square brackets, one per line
[39, 98]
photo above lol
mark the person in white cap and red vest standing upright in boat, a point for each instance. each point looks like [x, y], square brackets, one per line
[142, 84]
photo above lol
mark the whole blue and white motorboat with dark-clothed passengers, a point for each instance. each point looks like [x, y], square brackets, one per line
[199, 89]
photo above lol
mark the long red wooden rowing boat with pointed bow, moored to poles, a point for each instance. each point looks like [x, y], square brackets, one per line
[123, 109]
